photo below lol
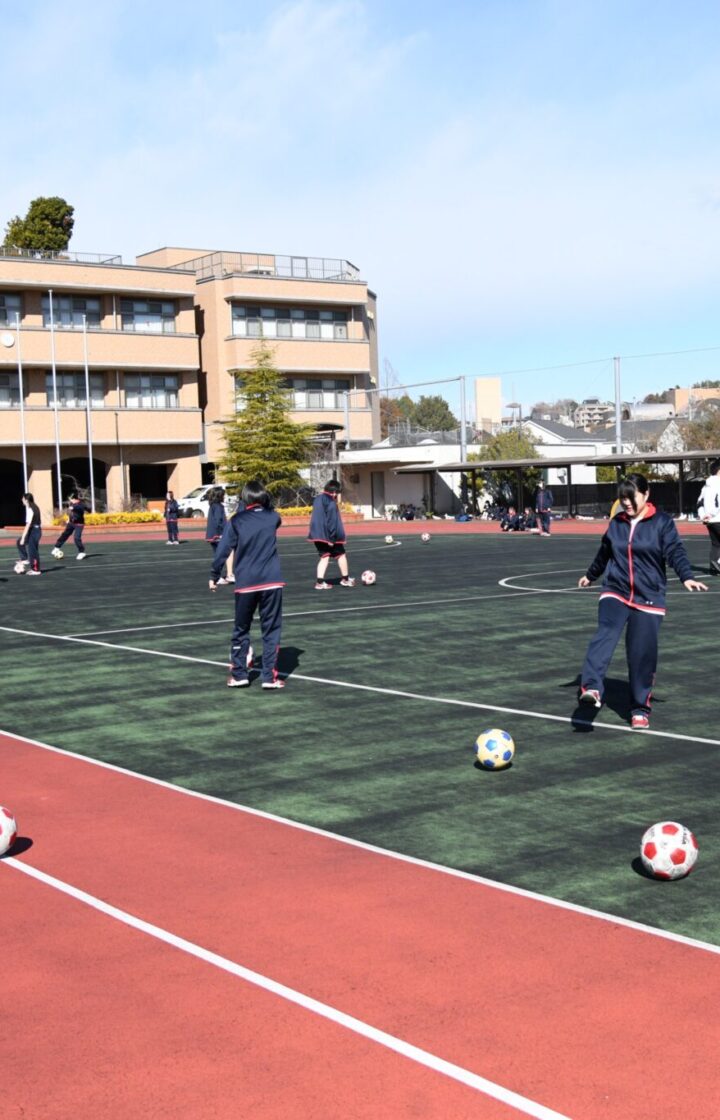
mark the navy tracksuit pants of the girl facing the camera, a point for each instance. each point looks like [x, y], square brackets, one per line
[642, 631]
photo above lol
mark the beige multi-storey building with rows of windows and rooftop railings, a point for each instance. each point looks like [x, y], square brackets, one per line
[130, 367]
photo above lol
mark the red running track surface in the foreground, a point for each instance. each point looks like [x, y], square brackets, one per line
[588, 1018]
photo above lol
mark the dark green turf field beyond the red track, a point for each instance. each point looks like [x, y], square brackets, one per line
[395, 771]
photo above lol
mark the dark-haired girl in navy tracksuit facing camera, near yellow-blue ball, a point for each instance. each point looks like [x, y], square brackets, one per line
[640, 542]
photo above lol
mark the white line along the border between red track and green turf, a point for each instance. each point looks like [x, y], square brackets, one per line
[375, 850]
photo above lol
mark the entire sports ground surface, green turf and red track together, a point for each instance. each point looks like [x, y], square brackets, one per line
[535, 1009]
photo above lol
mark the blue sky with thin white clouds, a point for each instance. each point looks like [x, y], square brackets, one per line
[525, 185]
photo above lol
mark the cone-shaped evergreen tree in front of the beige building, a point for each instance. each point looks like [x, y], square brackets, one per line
[261, 441]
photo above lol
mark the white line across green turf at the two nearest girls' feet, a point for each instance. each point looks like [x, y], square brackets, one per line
[371, 688]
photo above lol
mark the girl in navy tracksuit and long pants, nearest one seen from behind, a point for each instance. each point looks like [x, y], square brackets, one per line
[253, 536]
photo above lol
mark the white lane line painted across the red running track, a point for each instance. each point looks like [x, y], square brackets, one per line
[307, 1003]
